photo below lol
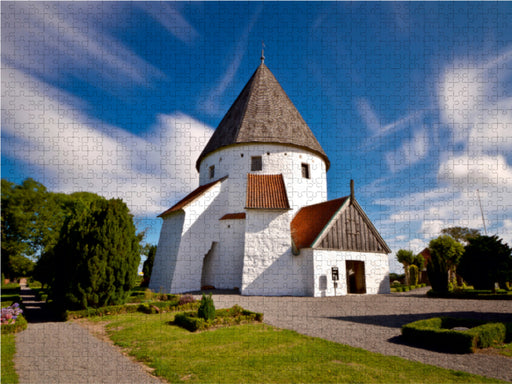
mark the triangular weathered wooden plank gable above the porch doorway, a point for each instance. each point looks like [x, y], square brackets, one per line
[351, 230]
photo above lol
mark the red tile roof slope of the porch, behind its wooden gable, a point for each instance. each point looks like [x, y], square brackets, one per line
[311, 220]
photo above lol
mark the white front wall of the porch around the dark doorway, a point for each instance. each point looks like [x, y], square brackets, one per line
[376, 271]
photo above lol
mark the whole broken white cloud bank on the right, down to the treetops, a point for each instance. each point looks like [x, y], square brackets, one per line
[475, 107]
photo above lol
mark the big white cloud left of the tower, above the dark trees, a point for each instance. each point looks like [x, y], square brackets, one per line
[71, 152]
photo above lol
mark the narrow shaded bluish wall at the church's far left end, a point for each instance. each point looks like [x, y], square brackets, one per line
[166, 252]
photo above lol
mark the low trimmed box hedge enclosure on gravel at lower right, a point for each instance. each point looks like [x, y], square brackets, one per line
[438, 333]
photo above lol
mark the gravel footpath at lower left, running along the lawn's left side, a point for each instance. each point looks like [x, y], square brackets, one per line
[50, 352]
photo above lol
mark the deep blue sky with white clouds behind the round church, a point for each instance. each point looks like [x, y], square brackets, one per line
[411, 100]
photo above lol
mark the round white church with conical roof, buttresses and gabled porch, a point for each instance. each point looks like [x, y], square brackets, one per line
[260, 221]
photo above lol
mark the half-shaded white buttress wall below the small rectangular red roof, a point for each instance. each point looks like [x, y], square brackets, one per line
[269, 267]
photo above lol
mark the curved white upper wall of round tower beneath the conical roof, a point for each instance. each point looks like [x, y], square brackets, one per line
[276, 159]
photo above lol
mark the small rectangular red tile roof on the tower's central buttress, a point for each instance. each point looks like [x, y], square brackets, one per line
[266, 192]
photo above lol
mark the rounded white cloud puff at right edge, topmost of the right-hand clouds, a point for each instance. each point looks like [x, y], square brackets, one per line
[474, 105]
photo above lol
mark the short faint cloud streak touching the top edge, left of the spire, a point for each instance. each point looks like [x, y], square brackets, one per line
[171, 19]
